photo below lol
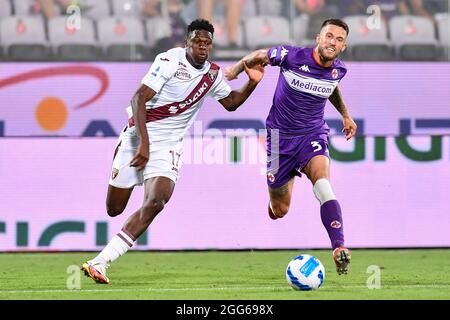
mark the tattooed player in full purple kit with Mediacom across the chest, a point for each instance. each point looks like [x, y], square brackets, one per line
[296, 130]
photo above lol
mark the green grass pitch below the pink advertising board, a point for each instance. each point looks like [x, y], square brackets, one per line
[224, 275]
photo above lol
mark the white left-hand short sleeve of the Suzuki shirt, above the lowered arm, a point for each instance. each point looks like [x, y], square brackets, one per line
[160, 71]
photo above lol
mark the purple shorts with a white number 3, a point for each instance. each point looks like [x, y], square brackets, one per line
[287, 156]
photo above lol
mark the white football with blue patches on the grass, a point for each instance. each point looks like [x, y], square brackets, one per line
[305, 272]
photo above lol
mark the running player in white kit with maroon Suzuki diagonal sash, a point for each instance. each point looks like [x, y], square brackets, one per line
[150, 147]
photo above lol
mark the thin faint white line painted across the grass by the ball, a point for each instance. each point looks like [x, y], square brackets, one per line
[283, 288]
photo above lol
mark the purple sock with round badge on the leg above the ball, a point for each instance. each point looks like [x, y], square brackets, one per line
[331, 215]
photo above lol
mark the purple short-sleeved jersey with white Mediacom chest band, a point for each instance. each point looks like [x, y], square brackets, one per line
[302, 90]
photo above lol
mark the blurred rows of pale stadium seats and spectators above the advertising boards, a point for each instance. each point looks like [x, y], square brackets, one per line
[137, 30]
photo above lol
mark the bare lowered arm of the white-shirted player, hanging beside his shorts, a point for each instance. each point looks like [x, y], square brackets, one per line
[141, 96]
